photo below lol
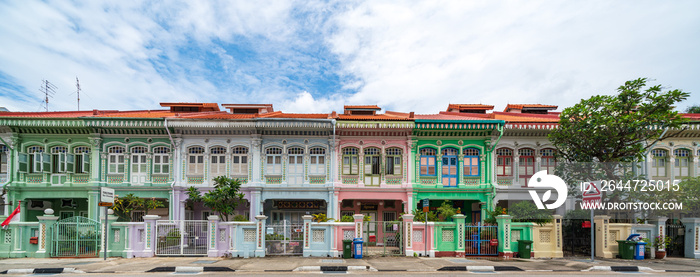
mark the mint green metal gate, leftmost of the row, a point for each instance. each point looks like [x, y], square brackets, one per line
[76, 237]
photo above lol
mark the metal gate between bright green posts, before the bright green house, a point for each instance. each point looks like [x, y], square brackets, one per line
[478, 240]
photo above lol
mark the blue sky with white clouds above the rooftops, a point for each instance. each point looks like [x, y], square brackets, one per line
[316, 56]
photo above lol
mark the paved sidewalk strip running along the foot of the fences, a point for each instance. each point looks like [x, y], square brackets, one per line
[290, 263]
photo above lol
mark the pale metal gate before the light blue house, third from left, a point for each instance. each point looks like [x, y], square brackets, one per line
[284, 238]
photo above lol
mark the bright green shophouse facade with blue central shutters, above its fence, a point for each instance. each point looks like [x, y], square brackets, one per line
[454, 161]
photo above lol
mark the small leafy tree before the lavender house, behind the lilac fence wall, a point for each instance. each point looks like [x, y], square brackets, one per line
[223, 199]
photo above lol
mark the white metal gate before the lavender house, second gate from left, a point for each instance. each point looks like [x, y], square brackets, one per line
[181, 237]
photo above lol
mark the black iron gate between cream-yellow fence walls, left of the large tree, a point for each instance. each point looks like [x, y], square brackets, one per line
[577, 237]
